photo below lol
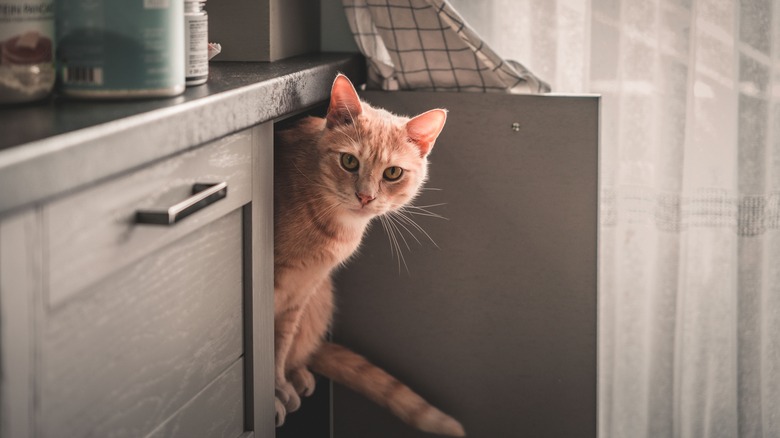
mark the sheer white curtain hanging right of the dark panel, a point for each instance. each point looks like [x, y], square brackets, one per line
[689, 322]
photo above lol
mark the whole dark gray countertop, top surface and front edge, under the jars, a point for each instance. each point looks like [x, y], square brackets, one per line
[50, 147]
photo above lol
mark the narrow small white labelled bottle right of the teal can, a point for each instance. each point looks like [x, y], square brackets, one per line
[196, 41]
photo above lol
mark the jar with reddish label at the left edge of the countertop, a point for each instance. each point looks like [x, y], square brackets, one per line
[26, 50]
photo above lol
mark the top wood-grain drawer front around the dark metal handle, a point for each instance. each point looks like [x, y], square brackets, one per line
[93, 233]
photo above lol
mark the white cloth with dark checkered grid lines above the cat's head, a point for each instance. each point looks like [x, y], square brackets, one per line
[425, 45]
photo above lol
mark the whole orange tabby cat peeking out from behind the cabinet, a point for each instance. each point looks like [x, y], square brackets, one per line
[332, 177]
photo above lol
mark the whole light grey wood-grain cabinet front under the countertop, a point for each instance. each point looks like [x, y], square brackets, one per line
[110, 327]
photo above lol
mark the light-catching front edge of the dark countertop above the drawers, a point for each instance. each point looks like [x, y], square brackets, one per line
[42, 169]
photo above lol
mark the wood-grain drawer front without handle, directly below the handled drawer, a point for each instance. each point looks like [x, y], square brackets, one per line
[132, 350]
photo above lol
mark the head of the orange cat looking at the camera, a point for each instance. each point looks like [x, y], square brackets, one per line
[373, 161]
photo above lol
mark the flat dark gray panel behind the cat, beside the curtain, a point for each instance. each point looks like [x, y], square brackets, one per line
[496, 325]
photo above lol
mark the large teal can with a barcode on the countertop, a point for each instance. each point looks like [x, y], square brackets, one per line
[120, 49]
